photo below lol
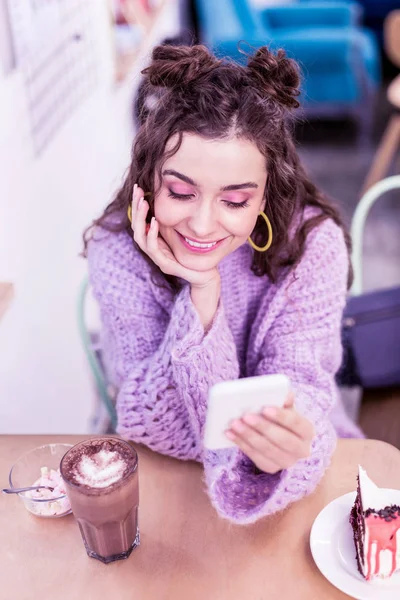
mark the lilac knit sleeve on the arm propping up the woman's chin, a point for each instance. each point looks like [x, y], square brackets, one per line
[157, 352]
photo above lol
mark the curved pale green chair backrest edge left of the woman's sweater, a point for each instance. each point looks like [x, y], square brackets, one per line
[95, 367]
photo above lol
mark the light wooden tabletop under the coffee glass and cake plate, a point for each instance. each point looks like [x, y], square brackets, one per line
[187, 552]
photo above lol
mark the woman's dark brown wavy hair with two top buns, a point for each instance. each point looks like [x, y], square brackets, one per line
[192, 91]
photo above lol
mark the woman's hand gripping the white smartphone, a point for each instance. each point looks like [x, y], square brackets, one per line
[275, 439]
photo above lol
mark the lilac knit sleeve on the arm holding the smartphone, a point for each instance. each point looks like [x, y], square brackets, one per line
[303, 342]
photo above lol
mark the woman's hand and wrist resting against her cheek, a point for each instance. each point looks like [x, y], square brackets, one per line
[204, 285]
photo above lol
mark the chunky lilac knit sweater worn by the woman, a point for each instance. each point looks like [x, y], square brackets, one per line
[163, 363]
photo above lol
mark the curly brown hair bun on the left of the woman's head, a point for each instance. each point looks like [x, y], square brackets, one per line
[177, 66]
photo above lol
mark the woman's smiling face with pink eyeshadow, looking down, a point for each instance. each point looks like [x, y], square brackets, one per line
[211, 193]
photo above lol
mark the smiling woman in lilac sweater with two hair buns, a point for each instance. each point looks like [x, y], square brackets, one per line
[238, 267]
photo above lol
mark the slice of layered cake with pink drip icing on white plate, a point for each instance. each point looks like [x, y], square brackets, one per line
[376, 529]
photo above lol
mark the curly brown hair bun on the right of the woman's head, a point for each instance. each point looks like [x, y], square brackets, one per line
[276, 76]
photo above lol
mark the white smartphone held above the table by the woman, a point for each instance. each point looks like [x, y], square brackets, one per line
[231, 400]
